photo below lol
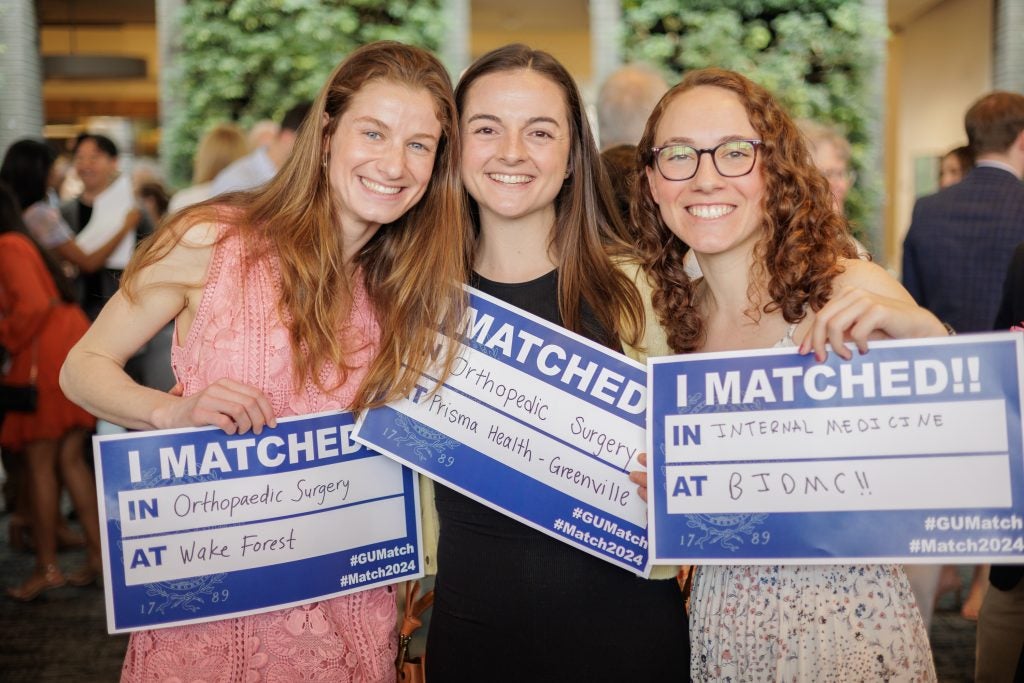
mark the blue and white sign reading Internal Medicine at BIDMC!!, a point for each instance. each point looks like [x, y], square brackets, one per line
[911, 453]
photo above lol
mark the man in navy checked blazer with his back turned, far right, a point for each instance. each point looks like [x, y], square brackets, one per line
[956, 258]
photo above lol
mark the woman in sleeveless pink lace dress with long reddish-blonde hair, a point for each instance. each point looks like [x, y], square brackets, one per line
[323, 290]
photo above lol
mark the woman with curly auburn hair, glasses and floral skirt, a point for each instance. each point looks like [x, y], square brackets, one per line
[728, 176]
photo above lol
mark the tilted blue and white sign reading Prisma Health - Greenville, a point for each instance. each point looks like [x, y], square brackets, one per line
[535, 421]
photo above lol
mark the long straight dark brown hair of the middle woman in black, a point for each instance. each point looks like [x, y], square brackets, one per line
[588, 231]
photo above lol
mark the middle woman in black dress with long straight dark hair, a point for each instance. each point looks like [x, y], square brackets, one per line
[513, 604]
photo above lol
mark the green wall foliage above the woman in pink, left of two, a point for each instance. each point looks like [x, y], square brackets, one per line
[243, 61]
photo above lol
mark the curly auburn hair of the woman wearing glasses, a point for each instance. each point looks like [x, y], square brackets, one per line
[803, 238]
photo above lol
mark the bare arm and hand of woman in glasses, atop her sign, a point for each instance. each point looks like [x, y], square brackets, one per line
[867, 304]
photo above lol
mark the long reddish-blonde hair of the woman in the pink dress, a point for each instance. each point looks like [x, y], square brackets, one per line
[413, 269]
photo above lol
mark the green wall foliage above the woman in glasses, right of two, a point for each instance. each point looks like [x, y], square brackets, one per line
[819, 57]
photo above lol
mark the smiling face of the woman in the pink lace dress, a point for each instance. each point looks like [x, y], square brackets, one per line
[381, 156]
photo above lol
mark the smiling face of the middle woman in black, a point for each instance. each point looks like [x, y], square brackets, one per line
[516, 146]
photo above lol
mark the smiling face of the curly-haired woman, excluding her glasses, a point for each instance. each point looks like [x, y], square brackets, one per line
[711, 214]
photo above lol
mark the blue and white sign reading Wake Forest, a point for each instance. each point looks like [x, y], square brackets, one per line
[198, 525]
